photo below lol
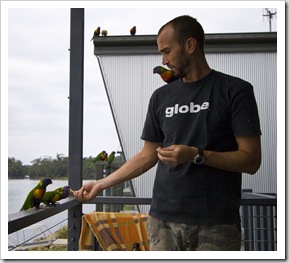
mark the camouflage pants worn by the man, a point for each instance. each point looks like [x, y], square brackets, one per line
[166, 236]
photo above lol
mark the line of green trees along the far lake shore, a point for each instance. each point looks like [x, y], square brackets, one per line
[54, 168]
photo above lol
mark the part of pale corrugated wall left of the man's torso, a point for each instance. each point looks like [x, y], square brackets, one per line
[130, 82]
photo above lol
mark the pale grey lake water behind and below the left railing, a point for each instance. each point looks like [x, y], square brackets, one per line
[17, 193]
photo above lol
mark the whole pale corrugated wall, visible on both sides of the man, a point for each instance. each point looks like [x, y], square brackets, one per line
[130, 82]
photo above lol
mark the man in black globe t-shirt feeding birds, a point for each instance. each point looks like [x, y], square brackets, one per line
[203, 131]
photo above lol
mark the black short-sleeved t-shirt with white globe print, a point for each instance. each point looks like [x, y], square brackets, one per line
[207, 114]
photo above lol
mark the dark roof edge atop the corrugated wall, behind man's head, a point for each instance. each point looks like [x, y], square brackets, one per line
[146, 44]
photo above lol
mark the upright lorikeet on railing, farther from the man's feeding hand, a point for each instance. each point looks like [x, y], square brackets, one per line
[35, 196]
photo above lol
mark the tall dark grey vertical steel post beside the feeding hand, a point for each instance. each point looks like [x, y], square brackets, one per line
[75, 120]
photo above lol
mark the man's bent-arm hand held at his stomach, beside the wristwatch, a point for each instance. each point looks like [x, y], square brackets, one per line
[176, 154]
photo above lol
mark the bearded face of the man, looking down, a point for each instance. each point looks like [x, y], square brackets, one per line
[174, 55]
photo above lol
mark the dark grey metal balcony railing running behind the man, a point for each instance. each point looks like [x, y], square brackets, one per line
[258, 215]
